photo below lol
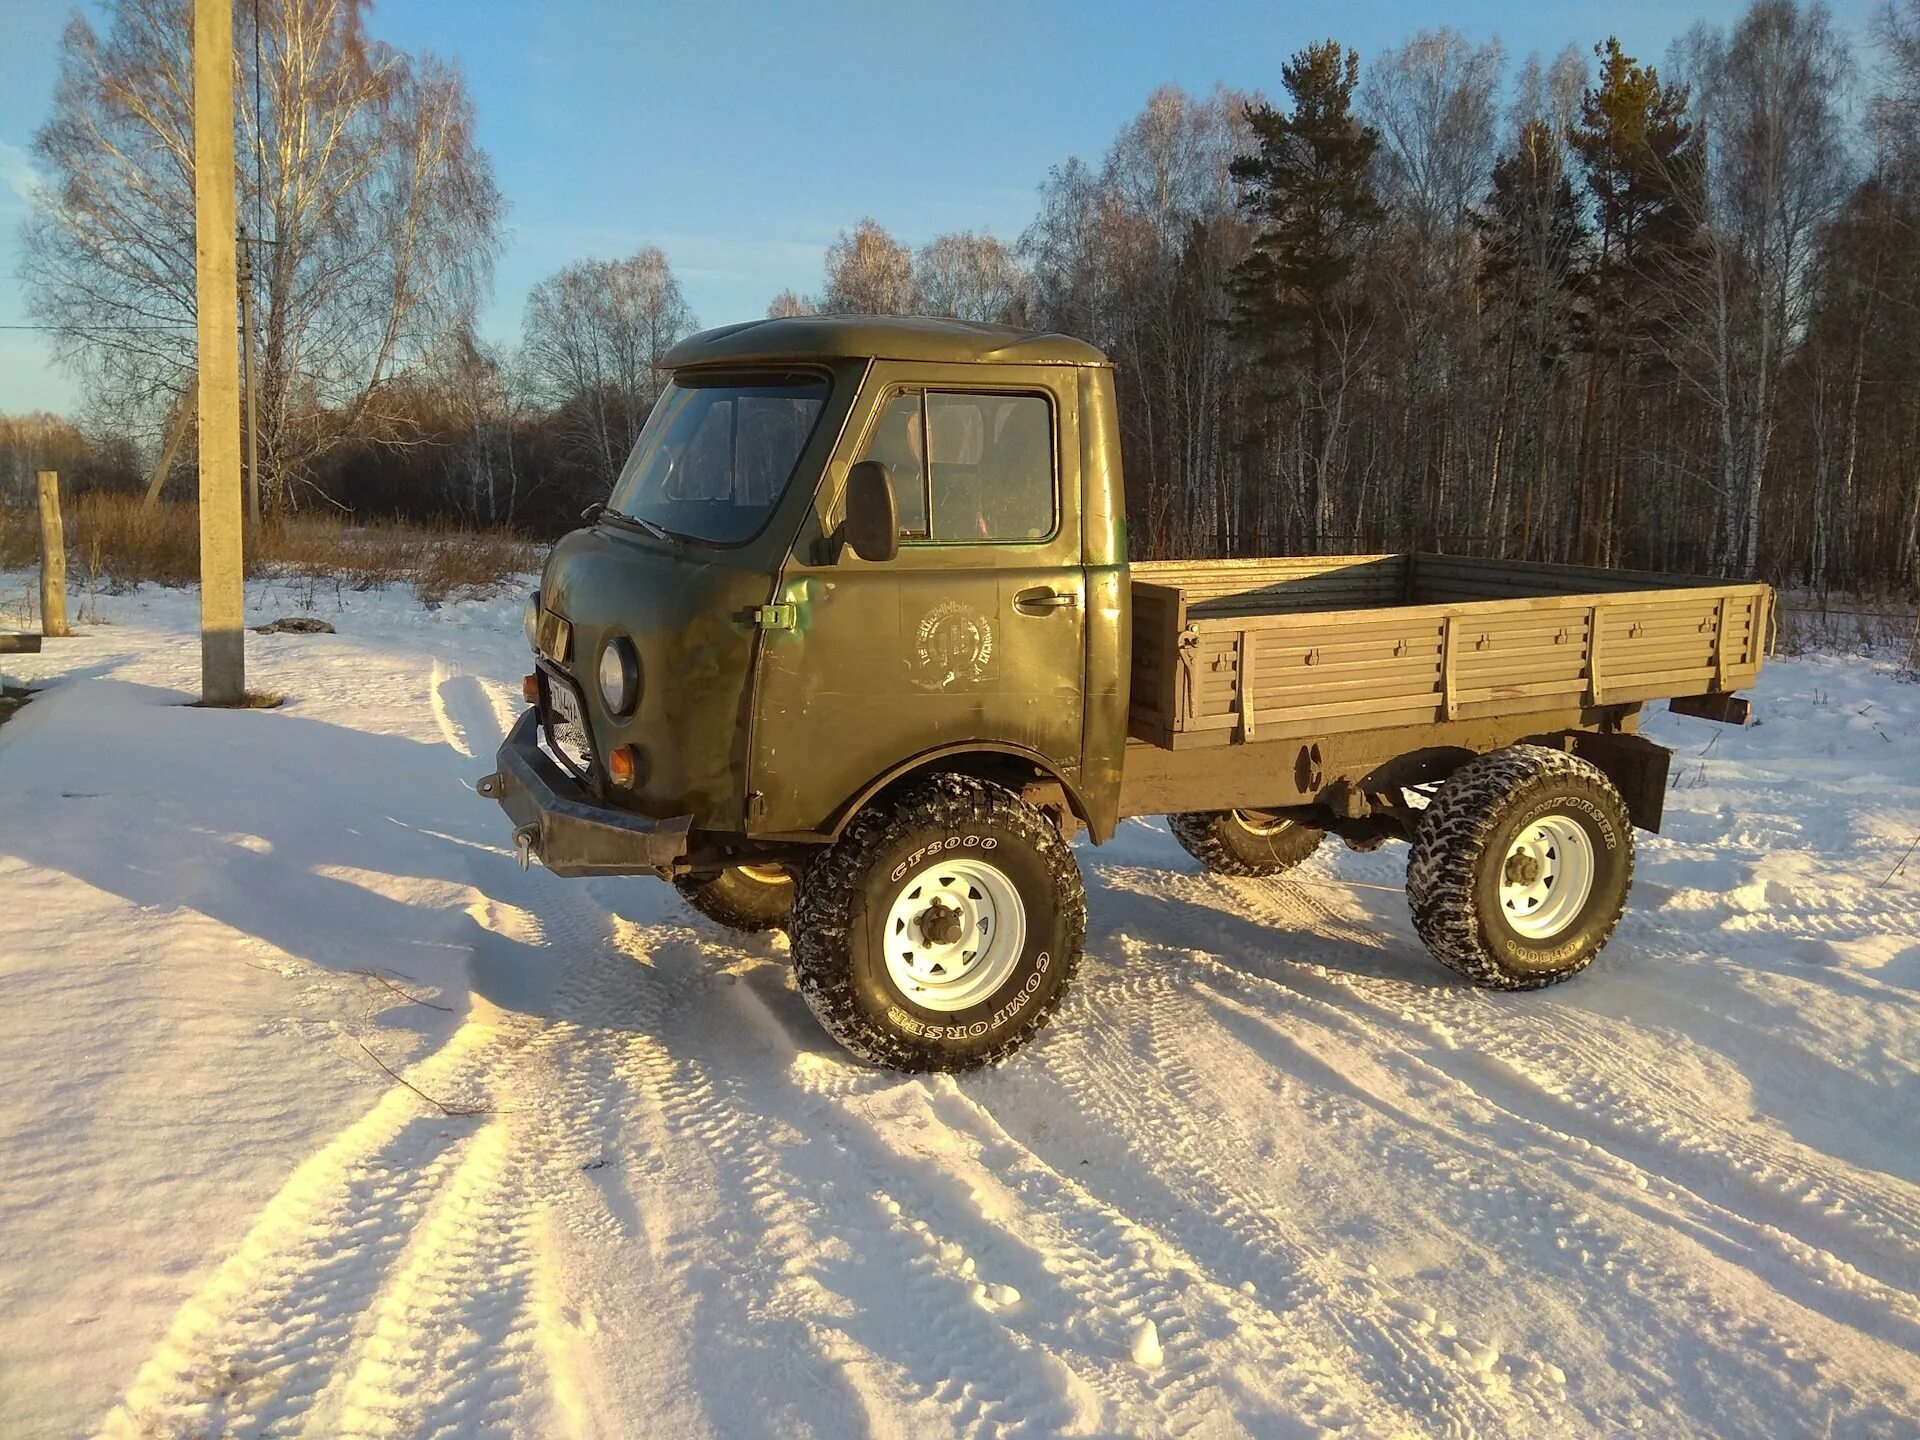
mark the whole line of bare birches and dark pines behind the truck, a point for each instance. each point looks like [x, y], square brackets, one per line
[1587, 308]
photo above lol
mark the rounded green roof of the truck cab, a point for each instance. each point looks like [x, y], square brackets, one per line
[878, 337]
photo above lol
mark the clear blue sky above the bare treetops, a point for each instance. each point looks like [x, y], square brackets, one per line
[744, 135]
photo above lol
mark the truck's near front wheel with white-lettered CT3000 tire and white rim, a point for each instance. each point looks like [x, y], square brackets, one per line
[942, 930]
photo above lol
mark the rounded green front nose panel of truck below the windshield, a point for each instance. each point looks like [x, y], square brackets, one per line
[690, 619]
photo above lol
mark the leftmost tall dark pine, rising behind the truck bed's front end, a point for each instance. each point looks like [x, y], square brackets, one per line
[1310, 199]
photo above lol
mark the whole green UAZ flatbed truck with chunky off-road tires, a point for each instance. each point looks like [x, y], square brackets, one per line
[853, 650]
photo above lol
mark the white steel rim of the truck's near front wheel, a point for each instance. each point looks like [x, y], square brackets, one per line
[955, 934]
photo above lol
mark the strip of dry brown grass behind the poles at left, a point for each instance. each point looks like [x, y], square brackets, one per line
[118, 542]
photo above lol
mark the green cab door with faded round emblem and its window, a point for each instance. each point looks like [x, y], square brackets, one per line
[974, 636]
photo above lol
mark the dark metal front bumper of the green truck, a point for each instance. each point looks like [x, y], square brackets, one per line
[569, 832]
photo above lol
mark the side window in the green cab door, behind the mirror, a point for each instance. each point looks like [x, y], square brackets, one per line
[971, 468]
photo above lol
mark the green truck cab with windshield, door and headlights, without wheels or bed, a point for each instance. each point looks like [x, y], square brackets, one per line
[761, 679]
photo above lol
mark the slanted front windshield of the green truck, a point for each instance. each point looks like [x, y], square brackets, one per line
[717, 454]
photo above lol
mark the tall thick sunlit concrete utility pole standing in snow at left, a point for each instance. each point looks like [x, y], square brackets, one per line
[222, 575]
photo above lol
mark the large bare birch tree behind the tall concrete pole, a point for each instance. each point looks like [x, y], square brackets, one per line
[373, 208]
